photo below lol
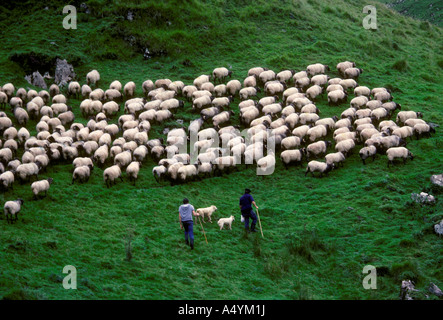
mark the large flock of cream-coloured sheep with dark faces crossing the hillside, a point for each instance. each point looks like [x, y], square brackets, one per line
[286, 118]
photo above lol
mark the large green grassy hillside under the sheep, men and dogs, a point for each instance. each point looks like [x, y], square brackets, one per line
[319, 233]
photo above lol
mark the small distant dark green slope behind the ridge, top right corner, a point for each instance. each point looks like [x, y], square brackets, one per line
[428, 10]
